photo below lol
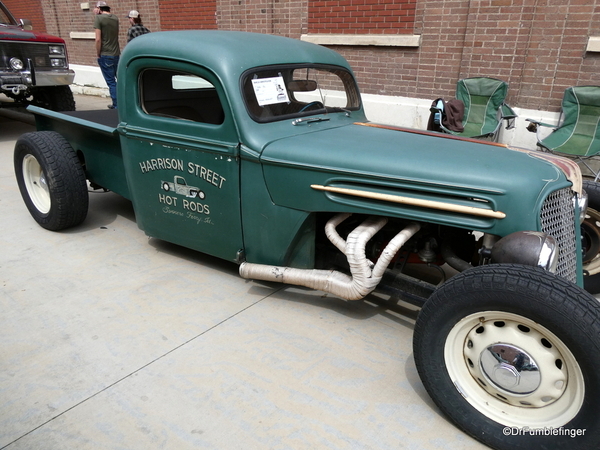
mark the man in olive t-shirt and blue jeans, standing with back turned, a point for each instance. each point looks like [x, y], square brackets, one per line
[106, 26]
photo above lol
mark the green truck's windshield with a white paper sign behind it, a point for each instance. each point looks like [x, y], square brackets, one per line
[285, 92]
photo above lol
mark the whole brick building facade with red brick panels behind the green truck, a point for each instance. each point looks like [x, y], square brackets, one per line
[399, 48]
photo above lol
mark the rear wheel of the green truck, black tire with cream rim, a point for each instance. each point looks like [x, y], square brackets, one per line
[51, 180]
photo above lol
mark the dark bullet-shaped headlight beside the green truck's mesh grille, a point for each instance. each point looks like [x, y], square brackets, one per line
[531, 248]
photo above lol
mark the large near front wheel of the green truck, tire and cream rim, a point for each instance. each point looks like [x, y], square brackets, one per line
[483, 312]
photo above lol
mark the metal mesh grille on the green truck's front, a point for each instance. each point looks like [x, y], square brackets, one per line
[558, 220]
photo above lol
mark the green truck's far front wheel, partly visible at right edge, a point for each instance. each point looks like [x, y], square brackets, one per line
[590, 232]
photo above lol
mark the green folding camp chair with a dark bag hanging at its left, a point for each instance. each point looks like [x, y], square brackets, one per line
[485, 109]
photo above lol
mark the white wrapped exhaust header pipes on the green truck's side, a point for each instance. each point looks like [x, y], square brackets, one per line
[365, 275]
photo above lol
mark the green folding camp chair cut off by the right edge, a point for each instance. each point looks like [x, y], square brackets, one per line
[577, 134]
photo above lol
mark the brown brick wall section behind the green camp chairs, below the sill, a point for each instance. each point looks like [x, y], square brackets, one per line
[538, 47]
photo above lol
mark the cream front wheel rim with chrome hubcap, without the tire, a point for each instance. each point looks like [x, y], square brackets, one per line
[542, 386]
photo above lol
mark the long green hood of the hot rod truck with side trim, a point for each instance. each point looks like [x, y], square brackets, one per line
[395, 162]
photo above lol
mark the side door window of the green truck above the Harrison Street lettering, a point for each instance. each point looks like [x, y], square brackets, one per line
[180, 95]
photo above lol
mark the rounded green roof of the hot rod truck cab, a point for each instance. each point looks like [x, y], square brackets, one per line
[229, 53]
